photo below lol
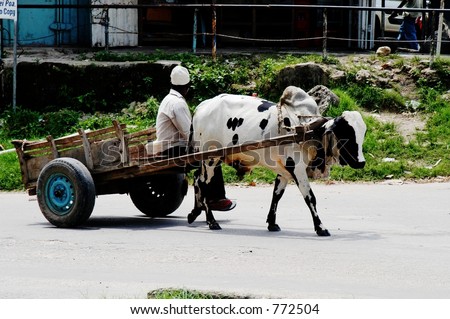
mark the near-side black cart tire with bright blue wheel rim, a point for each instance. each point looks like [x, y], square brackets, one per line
[66, 192]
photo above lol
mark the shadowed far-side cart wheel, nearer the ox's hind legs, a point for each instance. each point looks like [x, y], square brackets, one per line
[159, 195]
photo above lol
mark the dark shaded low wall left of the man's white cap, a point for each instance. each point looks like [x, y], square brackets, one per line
[85, 86]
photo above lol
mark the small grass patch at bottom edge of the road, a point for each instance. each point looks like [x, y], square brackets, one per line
[172, 293]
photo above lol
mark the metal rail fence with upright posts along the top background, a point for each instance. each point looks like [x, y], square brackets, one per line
[434, 39]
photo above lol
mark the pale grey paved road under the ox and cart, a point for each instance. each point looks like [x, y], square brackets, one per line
[388, 241]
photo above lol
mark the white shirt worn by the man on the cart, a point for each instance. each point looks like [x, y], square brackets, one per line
[173, 122]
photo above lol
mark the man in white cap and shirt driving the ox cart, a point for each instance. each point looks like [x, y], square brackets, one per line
[173, 126]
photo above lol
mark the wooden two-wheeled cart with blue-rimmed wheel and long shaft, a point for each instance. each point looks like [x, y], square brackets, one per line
[68, 173]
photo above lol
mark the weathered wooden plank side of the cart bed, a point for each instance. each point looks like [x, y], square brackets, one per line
[101, 150]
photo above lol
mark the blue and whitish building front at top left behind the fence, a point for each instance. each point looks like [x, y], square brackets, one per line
[72, 26]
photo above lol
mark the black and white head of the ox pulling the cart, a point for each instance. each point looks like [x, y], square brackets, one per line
[346, 136]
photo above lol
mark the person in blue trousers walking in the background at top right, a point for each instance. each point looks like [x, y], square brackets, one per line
[407, 30]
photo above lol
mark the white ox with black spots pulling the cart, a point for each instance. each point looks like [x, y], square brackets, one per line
[228, 120]
